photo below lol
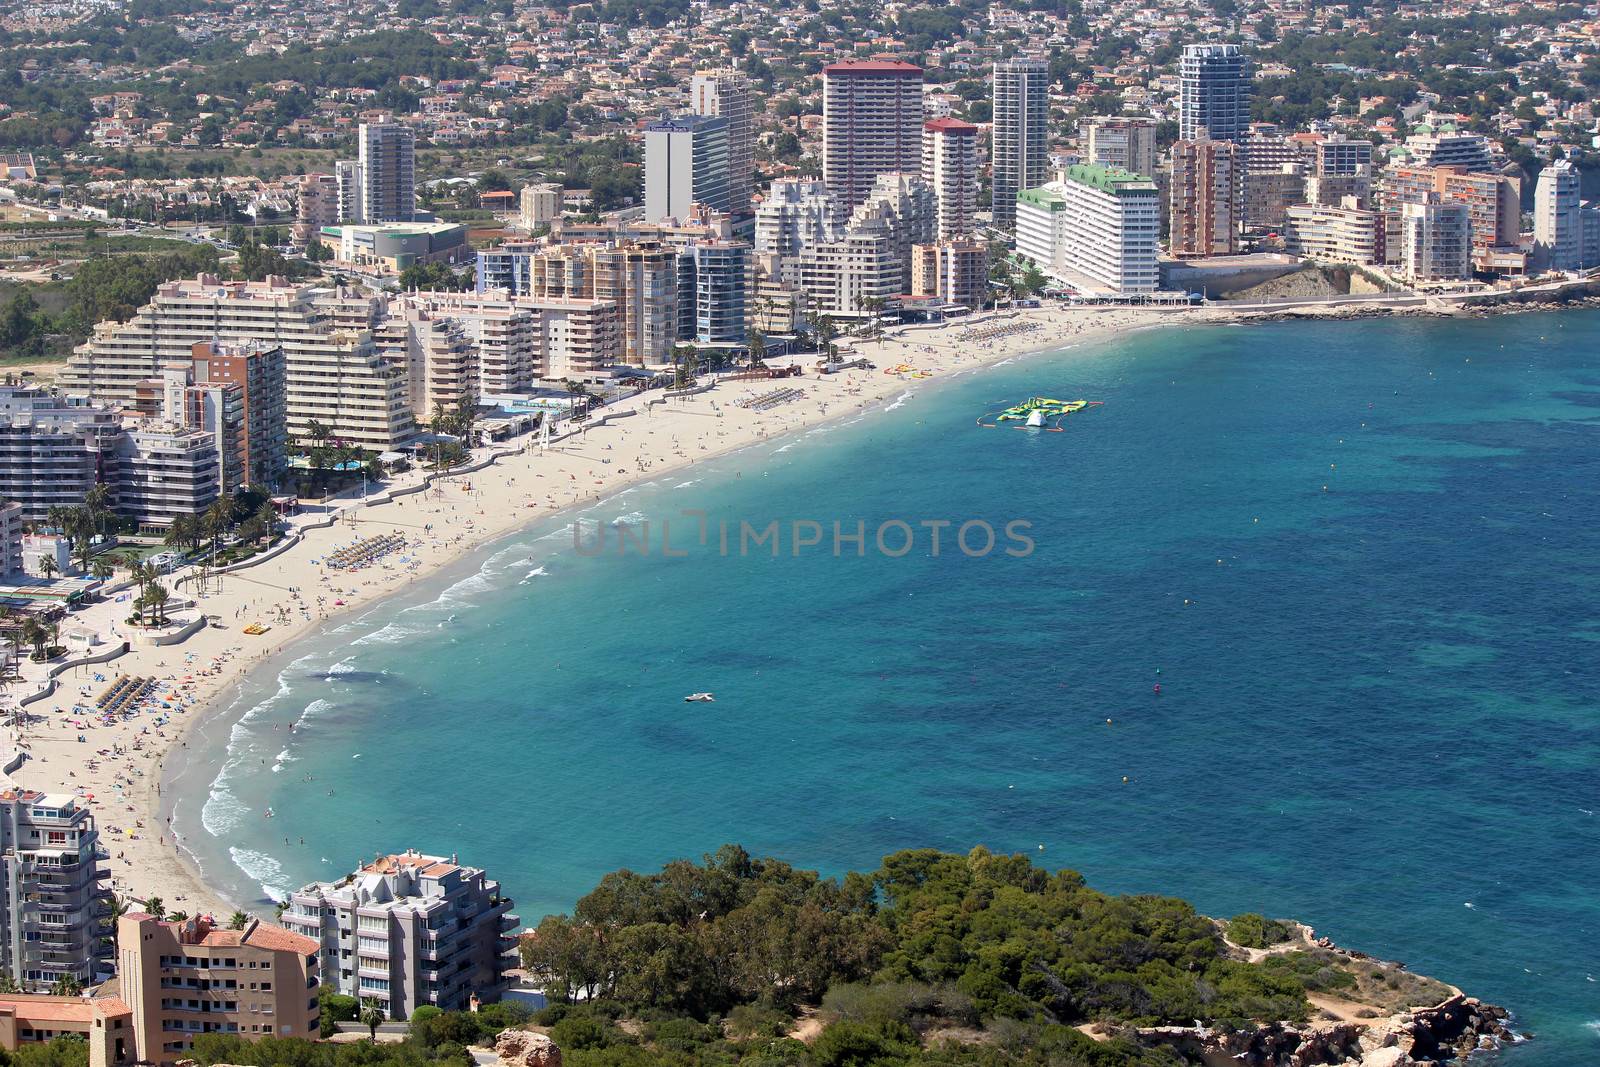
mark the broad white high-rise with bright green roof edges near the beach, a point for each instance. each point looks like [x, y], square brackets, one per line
[1097, 231]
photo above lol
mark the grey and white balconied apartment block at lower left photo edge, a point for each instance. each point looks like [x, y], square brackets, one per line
[55, 909]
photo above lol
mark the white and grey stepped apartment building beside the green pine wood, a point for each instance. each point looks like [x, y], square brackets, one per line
[410, 930]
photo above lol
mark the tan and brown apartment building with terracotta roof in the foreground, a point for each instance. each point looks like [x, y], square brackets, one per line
[190, 978]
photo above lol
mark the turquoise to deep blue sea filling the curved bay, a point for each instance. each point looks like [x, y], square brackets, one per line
[1361, 561]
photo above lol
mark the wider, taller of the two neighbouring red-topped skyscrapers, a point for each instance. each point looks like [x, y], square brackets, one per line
[871, 126]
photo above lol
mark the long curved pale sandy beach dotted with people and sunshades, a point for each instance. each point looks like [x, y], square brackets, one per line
[121, 765]
